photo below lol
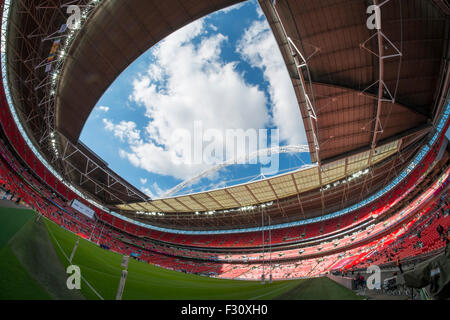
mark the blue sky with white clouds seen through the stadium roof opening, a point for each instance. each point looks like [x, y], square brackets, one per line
[225, 71]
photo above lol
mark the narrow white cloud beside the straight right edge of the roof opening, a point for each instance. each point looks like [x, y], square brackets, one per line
[259, 48]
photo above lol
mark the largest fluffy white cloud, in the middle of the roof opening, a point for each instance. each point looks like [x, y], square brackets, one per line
[187, 83]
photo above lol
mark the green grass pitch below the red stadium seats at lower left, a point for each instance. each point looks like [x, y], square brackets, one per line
[102, 270]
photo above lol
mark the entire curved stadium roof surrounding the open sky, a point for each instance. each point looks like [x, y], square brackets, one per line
[359, 91]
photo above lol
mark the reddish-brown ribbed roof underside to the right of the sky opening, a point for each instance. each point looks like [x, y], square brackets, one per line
[344, 74]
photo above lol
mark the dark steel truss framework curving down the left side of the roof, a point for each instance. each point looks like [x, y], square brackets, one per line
[46, 44]
